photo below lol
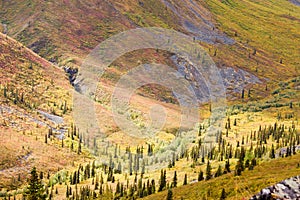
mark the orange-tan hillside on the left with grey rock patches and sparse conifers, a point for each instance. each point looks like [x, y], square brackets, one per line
[32, 91]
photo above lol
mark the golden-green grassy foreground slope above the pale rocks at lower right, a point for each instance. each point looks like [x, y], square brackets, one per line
[241, 187]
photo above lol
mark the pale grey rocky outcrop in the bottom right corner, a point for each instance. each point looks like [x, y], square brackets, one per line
[287, 189]
